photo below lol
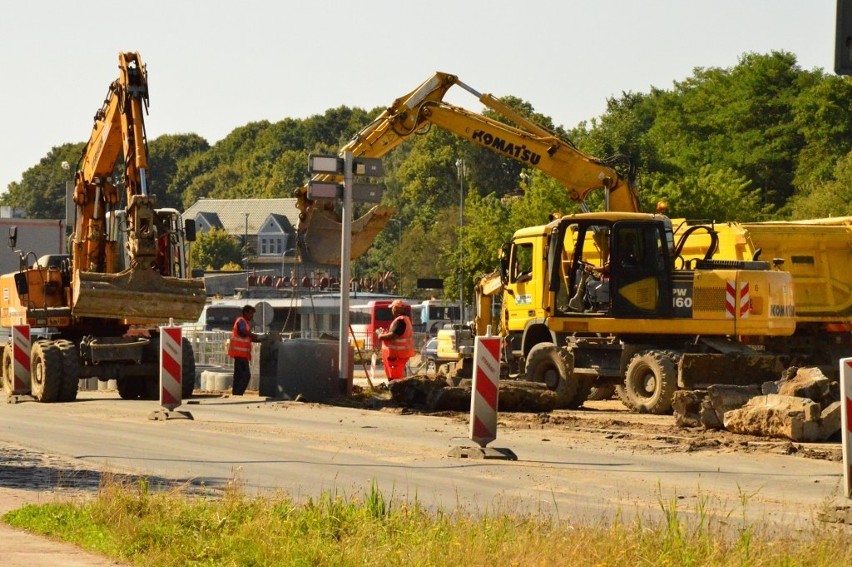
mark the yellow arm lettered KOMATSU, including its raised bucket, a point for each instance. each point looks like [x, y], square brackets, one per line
[526, 142]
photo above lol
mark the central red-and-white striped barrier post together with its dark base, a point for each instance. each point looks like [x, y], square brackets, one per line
[483, 402]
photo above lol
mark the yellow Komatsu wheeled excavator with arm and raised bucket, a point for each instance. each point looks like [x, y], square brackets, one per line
[649, 327]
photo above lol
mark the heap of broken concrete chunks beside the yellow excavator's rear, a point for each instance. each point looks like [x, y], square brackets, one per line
[803, 406]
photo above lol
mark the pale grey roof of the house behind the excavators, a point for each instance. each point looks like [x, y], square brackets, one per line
[232, 212]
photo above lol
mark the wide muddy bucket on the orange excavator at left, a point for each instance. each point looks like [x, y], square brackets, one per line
[137, 295]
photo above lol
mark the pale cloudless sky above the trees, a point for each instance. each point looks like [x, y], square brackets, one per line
[214, 65]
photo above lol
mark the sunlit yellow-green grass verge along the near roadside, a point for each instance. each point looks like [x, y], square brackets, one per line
[133, 523]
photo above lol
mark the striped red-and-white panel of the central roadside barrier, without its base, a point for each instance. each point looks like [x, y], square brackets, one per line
[486, 385]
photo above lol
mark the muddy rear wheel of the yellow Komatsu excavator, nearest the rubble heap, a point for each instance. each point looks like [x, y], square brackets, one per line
[651, 381]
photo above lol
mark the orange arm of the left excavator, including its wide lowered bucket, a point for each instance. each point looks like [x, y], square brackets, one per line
[141, 292]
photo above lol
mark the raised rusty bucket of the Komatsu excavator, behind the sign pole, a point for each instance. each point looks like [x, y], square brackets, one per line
[322, 238]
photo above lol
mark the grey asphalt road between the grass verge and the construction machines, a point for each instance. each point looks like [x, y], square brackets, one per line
[307, 449]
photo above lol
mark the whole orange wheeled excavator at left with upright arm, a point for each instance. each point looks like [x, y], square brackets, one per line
[98, 308]
